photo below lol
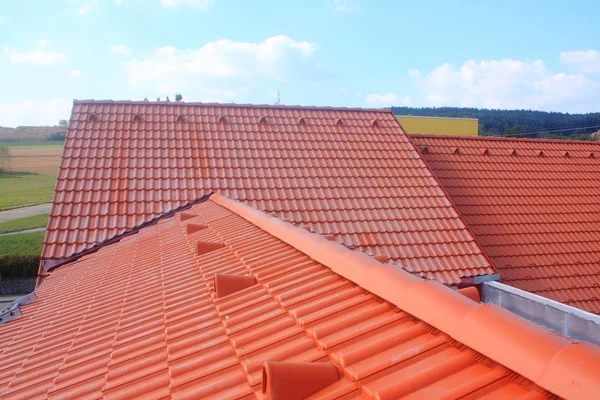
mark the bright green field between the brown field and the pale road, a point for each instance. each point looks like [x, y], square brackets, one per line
[21, 189]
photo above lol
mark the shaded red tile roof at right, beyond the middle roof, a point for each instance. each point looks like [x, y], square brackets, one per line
[534, 207]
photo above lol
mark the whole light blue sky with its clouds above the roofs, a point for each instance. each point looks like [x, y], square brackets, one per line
[493, 54]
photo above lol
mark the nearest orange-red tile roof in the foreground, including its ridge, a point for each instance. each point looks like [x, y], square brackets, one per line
[139, 319]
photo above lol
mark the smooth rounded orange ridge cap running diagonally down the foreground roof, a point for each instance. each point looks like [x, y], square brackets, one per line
[559, 365]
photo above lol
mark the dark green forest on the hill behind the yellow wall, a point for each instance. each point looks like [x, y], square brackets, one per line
[517, 123]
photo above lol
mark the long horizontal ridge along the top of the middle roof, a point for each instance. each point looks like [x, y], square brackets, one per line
[232, 105]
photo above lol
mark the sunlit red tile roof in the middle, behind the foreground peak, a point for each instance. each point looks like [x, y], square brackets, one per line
[350, 173]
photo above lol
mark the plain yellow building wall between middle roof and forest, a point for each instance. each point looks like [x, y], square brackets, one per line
[439, 126]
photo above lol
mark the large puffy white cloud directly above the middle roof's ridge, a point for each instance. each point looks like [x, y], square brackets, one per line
[224, 69]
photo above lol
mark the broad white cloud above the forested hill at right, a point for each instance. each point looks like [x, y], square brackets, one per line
[506, 84]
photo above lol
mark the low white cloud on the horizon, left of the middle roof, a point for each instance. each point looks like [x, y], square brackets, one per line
[31, 112]
